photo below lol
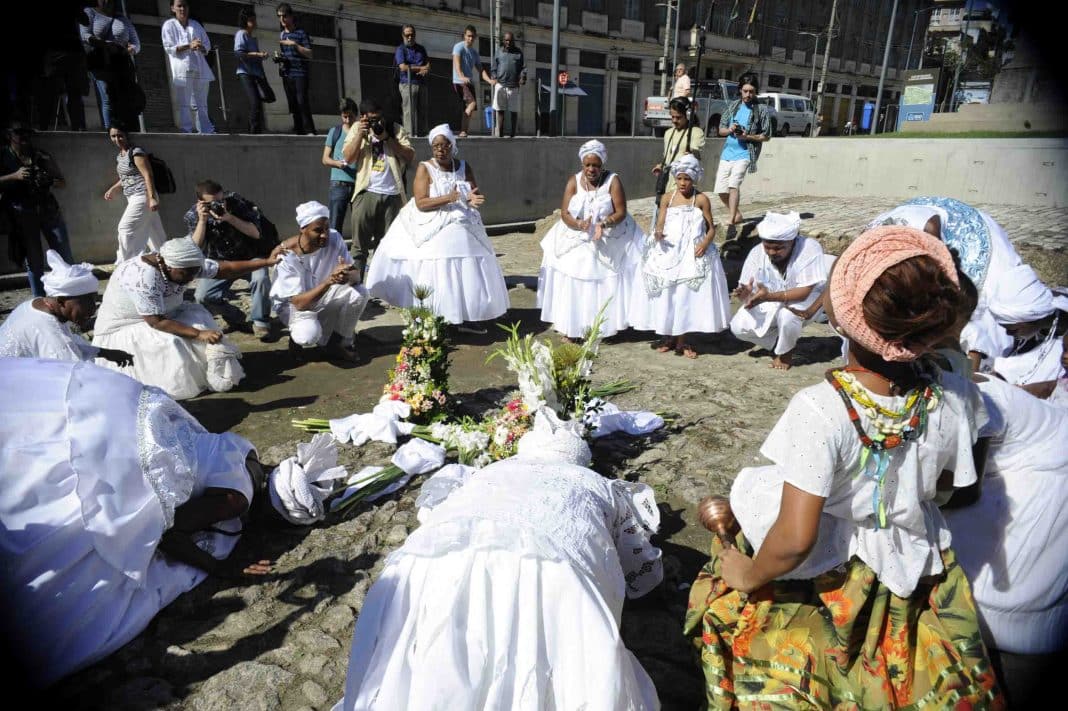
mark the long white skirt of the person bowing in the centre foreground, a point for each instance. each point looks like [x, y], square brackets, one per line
[490, 629]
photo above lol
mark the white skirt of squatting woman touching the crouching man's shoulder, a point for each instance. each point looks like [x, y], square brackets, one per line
[181, 368]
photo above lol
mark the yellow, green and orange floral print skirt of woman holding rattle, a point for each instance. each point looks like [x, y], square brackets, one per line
[841, 641]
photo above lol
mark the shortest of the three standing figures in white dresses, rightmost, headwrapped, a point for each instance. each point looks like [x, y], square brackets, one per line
[685, 288]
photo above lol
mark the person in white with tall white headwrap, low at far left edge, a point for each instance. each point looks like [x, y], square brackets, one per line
[41, 327]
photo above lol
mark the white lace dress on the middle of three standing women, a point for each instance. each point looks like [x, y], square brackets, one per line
[580, 275]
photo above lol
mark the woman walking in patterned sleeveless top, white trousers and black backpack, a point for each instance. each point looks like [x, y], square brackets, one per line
[140, 226]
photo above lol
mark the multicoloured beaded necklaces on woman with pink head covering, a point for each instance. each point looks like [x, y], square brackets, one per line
[894, 428]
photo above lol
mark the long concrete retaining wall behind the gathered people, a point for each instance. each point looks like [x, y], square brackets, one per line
[524, 178]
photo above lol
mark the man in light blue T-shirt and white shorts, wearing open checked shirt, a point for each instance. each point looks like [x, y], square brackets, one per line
[746, 125]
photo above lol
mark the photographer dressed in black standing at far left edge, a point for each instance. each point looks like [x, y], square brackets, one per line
[27, 179]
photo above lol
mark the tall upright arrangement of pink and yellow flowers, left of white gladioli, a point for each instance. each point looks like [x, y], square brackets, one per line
[421, 374]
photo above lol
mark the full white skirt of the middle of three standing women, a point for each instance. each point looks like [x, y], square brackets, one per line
[574, 287]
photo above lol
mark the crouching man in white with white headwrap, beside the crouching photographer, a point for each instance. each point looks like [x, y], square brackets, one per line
[313, 291]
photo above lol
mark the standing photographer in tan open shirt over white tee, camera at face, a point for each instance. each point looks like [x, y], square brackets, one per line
[382, 152]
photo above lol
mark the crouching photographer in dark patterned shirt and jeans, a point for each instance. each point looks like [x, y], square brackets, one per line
[227, 228]
